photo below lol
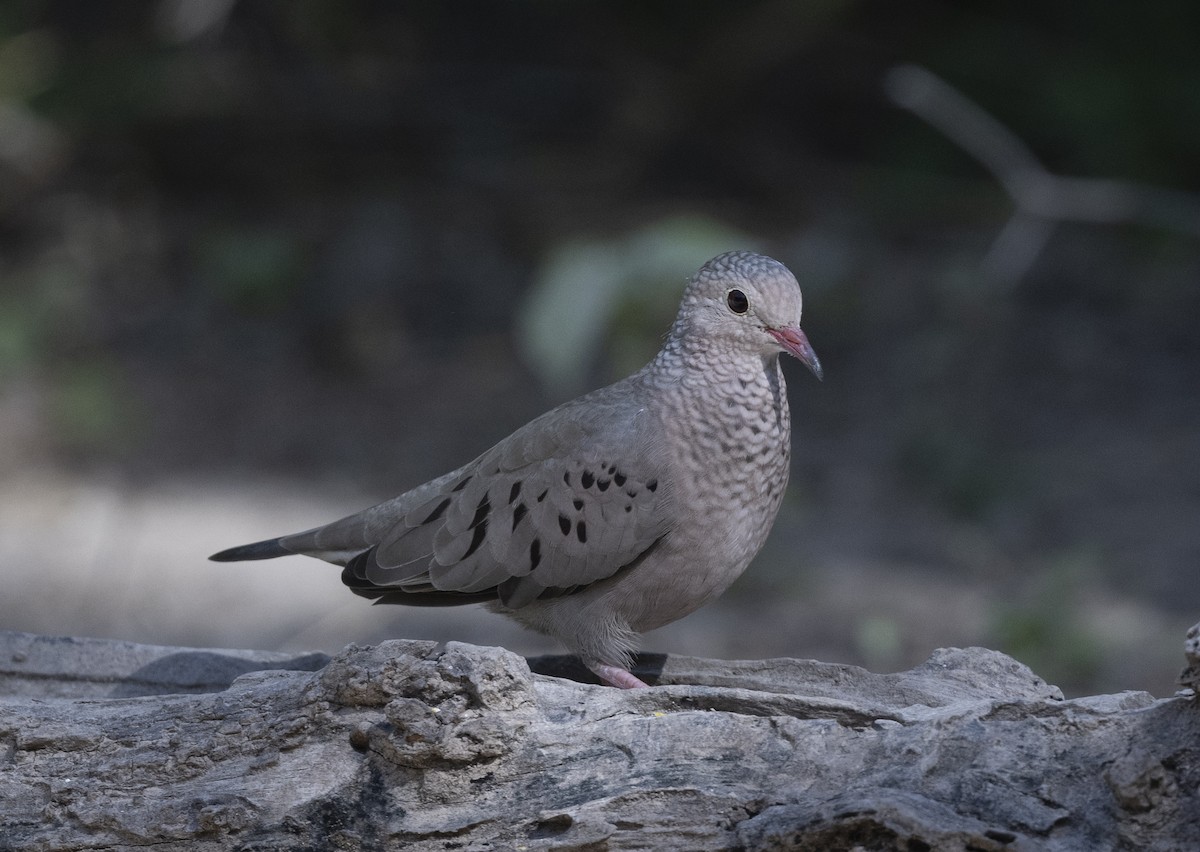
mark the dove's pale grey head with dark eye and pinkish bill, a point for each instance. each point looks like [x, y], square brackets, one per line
[748, 302]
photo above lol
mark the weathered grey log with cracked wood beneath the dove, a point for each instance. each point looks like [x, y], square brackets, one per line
[110, 746]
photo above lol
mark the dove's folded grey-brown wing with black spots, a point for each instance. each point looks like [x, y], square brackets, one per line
[565, 502]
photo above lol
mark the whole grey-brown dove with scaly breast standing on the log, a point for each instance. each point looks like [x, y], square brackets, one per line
[616, 513]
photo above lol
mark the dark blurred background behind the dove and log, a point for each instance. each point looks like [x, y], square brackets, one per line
[263, 265]
